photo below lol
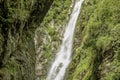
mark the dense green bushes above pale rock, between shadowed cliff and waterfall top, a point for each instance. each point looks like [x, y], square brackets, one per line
[58, 12]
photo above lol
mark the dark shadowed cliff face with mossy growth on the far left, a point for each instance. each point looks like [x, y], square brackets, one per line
[18, 21]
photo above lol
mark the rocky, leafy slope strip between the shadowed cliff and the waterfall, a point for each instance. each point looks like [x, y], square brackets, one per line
[49, 35]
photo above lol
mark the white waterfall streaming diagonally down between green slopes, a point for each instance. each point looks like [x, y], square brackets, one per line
[62, 59]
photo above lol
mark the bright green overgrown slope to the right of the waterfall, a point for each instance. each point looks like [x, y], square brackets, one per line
[96, 52]
